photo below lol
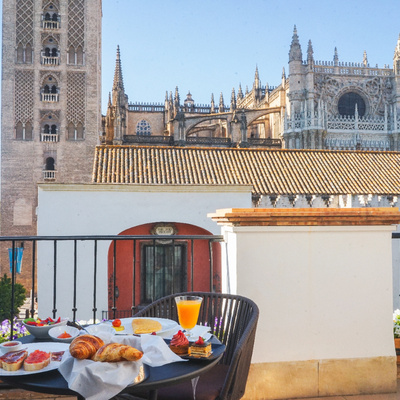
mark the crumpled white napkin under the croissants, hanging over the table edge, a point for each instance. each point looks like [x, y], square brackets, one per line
[102, 380]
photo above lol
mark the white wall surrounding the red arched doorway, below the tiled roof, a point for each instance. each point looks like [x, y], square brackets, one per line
[109, 210]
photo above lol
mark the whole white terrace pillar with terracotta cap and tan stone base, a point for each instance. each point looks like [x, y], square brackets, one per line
[322, 279]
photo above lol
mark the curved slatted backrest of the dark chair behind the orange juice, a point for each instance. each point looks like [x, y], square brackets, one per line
[233, 320]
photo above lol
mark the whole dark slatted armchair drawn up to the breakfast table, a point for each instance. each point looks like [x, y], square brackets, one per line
[233, 320]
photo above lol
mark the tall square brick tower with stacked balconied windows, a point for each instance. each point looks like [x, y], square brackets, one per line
[51, 97]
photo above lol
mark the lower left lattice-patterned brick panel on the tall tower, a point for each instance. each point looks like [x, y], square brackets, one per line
[24, 92]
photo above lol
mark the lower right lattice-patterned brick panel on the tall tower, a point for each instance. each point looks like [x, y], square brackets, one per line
[76, 96]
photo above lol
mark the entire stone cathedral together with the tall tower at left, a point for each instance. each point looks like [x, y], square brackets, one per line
[52, 120]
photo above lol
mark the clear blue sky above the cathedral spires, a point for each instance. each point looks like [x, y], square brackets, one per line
[210, 46]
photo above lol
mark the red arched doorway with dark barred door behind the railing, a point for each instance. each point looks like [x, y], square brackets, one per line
[143, 270]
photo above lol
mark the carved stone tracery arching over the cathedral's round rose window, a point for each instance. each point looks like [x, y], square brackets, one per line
[377, 91]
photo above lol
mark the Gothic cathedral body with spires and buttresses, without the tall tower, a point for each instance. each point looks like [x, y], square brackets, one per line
[331, 105]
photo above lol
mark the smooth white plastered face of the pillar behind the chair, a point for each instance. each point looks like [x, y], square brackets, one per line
[323, 292]
